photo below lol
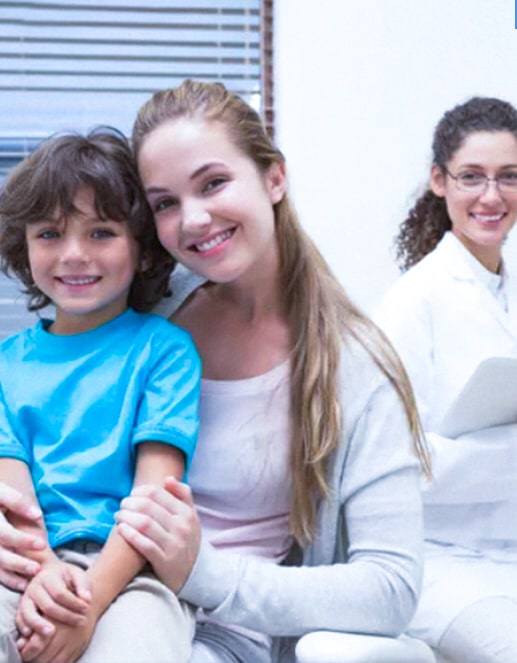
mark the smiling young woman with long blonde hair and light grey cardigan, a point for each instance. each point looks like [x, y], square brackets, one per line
[303, 510]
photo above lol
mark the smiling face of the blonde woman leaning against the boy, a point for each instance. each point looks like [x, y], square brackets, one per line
[213, 208]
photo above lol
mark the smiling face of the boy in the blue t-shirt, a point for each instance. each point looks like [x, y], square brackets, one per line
[84, 264]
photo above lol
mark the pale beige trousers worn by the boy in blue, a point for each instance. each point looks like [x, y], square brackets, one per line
[145, 624]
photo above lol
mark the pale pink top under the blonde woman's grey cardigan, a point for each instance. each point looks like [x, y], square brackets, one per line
[248, 421]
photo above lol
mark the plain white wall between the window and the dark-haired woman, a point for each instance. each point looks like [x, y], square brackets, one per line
[360, 85]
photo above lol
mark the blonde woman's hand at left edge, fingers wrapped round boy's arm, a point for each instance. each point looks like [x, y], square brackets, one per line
[15, 567]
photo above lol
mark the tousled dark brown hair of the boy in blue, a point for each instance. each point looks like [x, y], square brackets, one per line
[46, 182]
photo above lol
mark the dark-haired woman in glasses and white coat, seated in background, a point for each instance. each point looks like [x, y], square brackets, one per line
[455, 307]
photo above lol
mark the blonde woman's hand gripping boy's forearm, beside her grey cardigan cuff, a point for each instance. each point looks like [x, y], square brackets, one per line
[163, 526]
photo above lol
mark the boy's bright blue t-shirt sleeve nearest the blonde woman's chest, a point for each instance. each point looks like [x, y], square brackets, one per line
[168, 410]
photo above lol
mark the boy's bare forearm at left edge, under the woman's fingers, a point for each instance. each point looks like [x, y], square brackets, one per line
[15, 473]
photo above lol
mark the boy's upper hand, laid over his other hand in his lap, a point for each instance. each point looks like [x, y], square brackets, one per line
[59, 592]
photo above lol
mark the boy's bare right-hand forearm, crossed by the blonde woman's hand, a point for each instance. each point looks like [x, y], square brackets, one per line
[118, 562]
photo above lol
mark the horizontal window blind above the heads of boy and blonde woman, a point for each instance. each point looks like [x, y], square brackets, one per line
[75, 64]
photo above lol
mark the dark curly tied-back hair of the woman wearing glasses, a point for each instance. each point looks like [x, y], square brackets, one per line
[428, 220]
